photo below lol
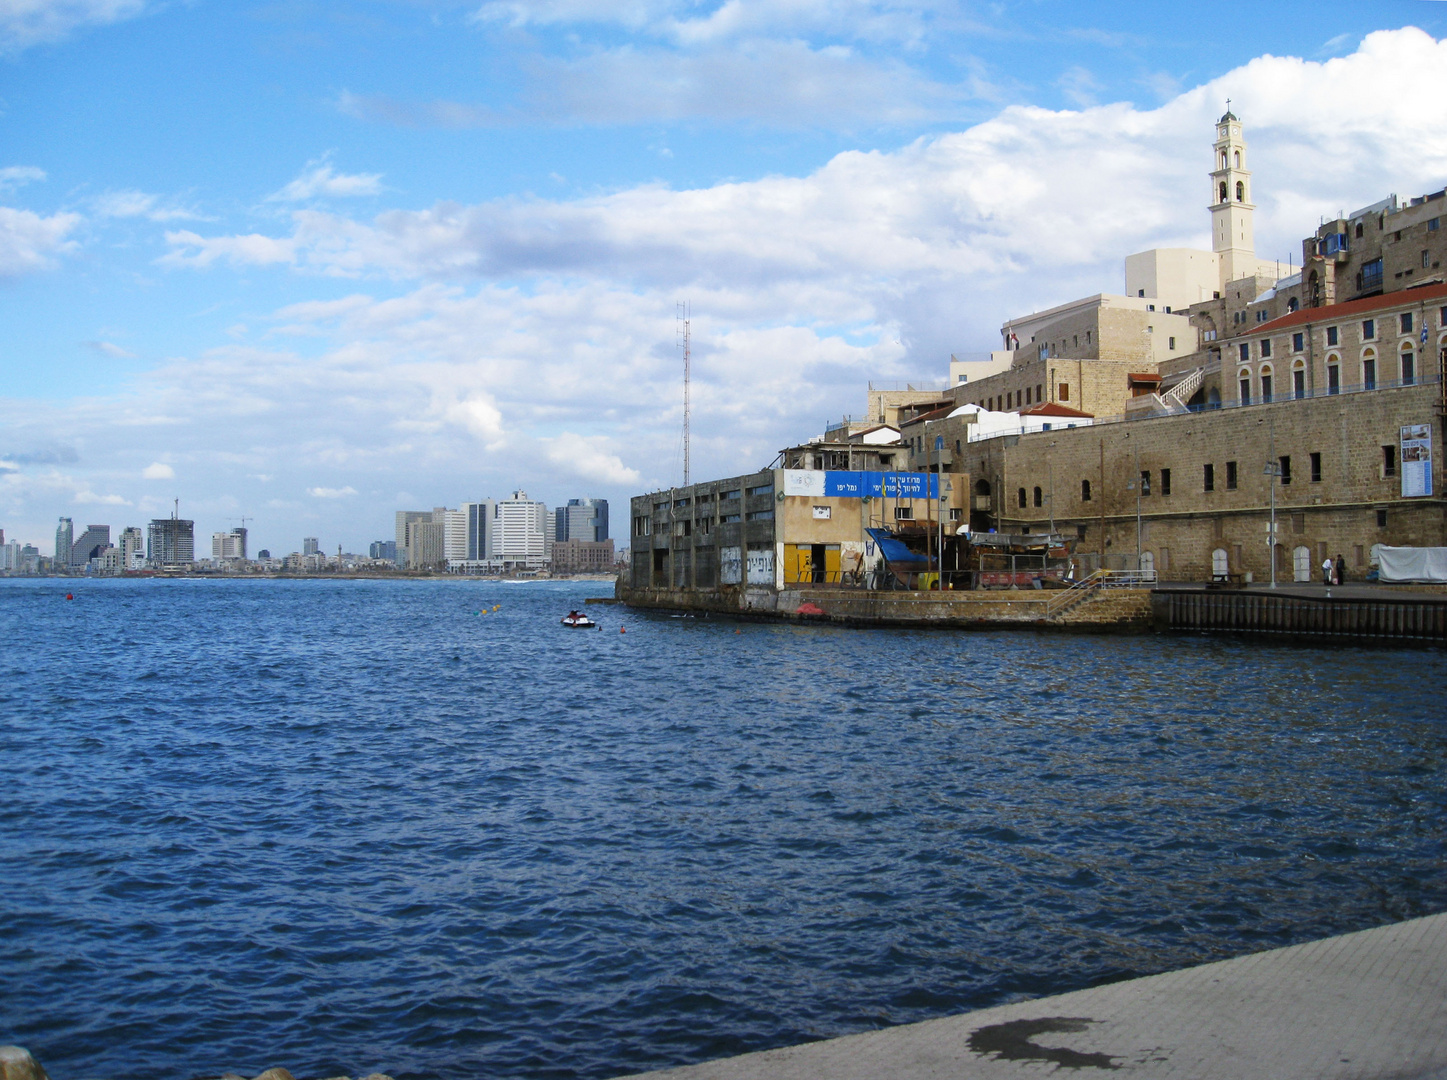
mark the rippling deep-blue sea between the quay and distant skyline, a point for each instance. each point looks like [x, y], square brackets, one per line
[377, 826]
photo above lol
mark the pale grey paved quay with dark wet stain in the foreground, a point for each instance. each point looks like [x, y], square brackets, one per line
[1361, 1007]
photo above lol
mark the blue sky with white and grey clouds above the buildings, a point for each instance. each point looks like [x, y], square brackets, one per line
[309, 264]
